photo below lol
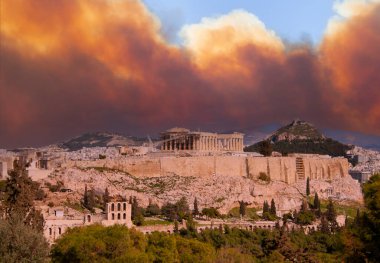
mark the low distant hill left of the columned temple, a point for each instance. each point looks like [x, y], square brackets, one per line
[99, 139]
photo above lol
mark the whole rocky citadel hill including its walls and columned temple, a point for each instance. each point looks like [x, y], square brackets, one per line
[208, 166]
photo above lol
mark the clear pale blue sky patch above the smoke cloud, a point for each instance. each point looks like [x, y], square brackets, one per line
[292, 20]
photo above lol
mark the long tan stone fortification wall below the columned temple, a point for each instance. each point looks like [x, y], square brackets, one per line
[277, 168]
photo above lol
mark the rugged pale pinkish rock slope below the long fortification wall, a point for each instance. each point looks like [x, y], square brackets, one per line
[222, 192]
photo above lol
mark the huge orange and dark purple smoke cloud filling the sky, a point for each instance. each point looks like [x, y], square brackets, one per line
[74, 66]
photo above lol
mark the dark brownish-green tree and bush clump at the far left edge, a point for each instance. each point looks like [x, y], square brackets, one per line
[20, 223]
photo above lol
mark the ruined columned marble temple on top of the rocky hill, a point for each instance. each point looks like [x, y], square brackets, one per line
[180, 139]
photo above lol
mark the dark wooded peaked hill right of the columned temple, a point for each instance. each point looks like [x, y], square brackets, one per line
[300, 137]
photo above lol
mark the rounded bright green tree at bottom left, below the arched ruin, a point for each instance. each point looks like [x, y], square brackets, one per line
[96, 243]
